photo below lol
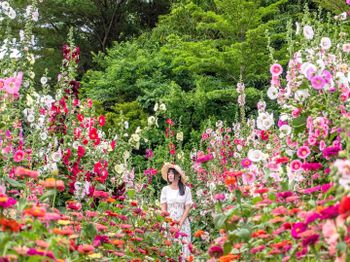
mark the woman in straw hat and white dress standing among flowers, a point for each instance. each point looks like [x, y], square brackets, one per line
[176, 199]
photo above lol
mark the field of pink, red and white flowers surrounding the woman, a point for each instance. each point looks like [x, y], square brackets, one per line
[270, 187]
